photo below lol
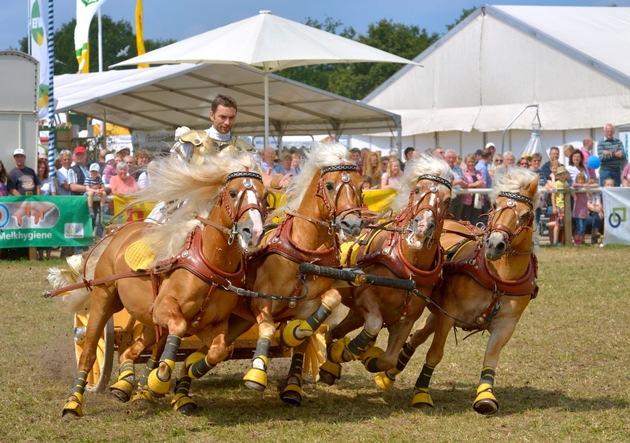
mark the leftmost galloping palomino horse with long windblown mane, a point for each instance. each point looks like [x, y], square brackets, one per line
[216, 211]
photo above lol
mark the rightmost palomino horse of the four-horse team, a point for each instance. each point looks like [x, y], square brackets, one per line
[488, 282]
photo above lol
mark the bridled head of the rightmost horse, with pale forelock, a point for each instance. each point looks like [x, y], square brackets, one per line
[511, 219]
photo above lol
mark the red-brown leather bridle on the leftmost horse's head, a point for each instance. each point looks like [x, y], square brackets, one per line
[236, 210]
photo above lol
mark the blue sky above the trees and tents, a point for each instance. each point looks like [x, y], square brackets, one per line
[178, 20]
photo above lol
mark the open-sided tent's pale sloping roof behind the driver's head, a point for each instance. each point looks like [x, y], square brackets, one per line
[180, 95]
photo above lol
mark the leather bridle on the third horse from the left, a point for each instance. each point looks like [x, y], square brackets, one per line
[416, 206]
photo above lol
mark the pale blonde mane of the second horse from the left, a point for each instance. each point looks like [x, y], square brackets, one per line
[320, 156]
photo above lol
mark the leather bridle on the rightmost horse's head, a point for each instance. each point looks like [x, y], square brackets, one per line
[524, 223]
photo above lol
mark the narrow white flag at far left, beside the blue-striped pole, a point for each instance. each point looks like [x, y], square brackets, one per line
[39, 50]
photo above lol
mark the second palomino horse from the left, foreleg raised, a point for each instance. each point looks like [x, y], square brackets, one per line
[323, 206]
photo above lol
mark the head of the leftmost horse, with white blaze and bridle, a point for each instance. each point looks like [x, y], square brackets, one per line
[243, 199]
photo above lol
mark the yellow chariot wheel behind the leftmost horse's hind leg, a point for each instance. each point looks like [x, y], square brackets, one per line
[98, 378]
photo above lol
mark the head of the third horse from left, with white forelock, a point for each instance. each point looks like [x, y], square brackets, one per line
[429, 182]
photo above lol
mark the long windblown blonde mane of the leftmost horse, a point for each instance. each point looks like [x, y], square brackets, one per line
[186, 191]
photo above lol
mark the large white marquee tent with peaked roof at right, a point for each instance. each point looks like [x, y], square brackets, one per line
[570, 61]
